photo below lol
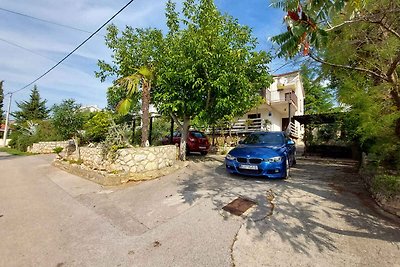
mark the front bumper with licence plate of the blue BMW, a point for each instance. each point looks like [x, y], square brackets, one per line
[266, 169]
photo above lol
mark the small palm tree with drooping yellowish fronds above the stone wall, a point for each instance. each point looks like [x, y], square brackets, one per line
[142, 78]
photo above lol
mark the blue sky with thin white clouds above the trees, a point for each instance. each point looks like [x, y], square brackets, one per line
[30, 47]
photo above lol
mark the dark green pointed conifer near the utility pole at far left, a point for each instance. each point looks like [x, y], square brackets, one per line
[33, 109]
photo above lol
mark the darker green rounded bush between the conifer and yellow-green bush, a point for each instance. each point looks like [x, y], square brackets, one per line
[67, 118]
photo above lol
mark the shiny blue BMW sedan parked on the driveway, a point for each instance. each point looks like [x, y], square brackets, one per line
[266, 154]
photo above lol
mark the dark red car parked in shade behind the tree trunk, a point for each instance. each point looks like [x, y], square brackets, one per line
[196, 141]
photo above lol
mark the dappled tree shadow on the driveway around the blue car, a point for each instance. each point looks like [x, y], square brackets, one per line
[319, 202]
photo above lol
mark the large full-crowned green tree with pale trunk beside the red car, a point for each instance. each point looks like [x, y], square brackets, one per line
[208, 67]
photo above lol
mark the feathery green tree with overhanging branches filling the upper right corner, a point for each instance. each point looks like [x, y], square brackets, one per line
[357, 44]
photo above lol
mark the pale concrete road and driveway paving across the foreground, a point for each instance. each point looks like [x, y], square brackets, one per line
[321, 216]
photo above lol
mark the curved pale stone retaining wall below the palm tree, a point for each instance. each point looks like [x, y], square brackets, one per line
[129, 160]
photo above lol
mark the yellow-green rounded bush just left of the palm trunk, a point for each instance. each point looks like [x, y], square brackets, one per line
[96, 128]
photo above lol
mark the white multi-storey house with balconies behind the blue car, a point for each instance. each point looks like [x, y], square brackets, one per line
[283, 99]
